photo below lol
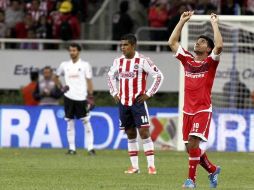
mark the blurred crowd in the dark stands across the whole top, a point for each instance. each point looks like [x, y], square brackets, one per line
[61, 19]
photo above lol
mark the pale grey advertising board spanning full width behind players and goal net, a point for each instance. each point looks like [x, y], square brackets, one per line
[16, 66]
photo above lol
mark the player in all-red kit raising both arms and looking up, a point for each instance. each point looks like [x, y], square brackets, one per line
[199, 76]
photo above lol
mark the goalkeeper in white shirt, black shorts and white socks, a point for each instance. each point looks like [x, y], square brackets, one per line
[79, 96]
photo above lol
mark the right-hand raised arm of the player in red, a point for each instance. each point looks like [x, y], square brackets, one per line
[218, 42]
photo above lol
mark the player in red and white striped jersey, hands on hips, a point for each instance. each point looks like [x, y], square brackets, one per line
[132, 69]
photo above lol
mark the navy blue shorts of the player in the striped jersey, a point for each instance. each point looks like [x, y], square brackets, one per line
[133, 116]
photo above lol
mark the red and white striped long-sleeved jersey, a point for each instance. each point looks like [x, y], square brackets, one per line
[132, 75]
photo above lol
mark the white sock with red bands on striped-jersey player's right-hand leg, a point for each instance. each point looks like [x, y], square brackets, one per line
[149, 151]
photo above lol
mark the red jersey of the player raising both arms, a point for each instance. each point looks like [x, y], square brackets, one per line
[199, 78]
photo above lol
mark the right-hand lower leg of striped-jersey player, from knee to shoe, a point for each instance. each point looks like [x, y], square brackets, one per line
[148, 148]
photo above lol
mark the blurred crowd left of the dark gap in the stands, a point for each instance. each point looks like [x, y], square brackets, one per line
[43, 19]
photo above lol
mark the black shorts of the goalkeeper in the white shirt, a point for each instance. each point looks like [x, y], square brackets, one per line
[75, 109]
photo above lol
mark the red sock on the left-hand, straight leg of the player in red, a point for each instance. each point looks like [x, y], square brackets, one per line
[194, 159]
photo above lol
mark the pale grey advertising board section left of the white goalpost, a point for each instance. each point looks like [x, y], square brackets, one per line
[16, 66]
